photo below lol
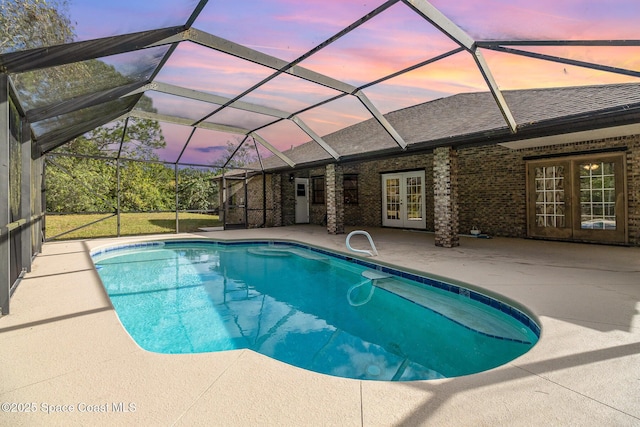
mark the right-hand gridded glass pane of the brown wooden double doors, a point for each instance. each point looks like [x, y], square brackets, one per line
[597, 196]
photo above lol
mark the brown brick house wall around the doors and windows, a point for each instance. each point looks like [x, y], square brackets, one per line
[491, 187]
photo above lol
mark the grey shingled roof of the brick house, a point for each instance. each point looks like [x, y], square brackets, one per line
[474, 118]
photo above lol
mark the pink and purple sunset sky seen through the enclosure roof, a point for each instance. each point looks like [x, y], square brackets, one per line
[396, 39]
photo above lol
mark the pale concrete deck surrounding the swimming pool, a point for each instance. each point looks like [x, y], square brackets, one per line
[63, 348]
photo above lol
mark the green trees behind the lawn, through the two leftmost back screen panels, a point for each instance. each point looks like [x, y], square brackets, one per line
[144, 185]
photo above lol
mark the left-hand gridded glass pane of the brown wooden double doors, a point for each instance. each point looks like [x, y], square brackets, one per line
[549, 196]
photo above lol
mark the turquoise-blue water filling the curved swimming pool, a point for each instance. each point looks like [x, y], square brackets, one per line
[306, 307]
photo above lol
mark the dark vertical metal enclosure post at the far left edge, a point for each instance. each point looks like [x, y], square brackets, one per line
[5, 280]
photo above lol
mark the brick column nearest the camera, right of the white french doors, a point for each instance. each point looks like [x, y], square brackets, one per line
[445, 195]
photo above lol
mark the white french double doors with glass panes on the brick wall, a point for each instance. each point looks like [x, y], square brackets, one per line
[403, 200]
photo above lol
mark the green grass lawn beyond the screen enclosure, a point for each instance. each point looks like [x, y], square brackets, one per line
[131, 224]
